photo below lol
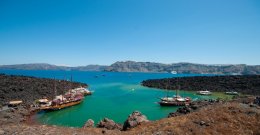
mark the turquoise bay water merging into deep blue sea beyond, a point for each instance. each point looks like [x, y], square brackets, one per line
[115, 96]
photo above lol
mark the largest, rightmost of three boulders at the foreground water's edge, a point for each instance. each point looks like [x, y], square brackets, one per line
[134, 119]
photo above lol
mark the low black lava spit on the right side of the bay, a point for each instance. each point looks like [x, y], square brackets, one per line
[246, 84]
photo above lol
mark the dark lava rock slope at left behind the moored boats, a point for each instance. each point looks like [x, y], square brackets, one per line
[29, 89]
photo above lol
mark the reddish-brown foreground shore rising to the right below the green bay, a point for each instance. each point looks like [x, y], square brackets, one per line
[195, 114]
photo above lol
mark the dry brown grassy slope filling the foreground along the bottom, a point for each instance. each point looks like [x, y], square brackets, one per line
[226, 118]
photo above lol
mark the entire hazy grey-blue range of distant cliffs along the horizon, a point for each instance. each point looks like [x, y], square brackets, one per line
[132, 66]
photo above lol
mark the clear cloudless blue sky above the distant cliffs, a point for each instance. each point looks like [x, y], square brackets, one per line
[82, 32]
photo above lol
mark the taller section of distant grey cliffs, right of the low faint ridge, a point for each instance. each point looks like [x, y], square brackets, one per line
[131, 66]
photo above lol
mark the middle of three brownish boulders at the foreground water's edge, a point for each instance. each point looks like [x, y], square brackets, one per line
[109, 124]
